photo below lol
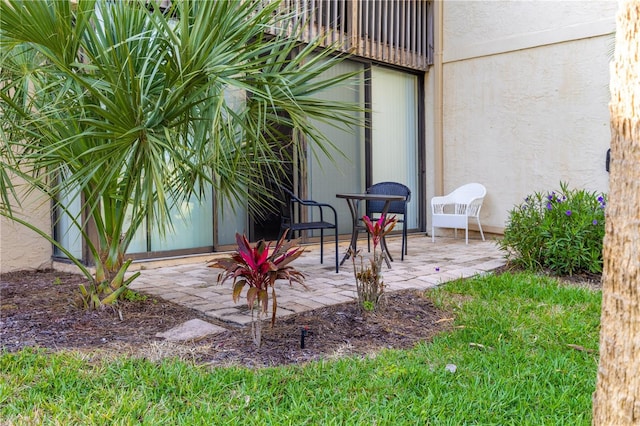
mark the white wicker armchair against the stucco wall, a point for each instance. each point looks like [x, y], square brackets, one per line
[455, 209]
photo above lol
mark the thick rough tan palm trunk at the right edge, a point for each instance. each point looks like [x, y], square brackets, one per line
[617, 397]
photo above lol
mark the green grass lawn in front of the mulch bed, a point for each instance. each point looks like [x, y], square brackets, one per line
[524, 350]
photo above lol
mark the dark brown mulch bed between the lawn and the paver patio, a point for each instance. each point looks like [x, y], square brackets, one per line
[40, 309]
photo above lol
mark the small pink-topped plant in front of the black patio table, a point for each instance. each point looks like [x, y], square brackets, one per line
[369, 282]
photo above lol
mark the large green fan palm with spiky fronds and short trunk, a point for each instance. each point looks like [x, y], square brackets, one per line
[137, 108]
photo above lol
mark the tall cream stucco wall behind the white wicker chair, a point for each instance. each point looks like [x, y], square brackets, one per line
[524, 98]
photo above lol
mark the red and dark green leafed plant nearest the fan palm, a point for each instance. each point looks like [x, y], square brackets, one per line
[259, 267]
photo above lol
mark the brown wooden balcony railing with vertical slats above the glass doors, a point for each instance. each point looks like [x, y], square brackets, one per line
[398, 32]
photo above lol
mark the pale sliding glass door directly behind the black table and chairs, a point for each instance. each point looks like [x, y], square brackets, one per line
[394, 139]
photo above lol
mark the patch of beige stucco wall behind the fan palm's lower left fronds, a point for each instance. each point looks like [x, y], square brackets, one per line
[21, 248]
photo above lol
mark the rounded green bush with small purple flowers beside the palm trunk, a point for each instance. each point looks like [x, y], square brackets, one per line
[561, 231]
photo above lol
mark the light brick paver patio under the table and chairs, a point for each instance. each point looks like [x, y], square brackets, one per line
[193, 284]
